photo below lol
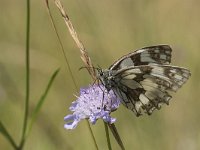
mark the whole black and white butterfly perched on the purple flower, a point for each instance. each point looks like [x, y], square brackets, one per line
[143, 79]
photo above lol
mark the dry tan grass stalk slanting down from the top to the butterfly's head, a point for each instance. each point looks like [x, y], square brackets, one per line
[84, 55]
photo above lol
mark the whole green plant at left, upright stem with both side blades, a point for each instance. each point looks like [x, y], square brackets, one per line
[3, 129]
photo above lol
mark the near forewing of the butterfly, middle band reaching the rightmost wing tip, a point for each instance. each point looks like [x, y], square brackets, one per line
[171, 77]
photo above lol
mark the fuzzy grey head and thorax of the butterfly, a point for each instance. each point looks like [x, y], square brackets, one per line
[107, 78]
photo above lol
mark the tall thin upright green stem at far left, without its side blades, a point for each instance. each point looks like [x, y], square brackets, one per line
[27, 75]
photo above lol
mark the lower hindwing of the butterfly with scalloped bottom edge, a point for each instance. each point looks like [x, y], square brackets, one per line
[142, 100]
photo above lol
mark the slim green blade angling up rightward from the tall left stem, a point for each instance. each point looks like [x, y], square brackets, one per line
[41, 102]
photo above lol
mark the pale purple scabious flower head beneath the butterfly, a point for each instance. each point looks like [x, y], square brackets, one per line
[94, 102]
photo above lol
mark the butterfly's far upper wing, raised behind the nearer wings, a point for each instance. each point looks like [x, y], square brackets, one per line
[160, 54]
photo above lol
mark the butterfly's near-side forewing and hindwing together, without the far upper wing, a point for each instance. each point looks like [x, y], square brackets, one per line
[145, 88]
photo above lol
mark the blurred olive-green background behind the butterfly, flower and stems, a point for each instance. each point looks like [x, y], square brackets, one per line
[108, 29]
